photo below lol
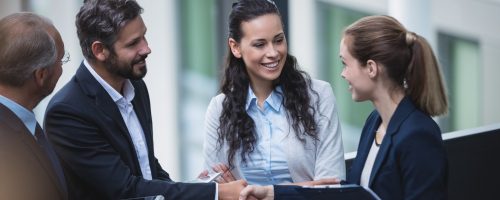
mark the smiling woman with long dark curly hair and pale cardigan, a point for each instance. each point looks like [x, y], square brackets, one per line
[272, 123]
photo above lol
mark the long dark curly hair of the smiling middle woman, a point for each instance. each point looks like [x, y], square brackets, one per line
[236, 127]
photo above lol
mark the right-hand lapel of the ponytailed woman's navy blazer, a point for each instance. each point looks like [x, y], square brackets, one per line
[404, 108]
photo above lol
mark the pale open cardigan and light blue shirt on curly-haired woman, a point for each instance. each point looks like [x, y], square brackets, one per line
[279, 154]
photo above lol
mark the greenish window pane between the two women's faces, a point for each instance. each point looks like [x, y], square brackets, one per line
[352, 114]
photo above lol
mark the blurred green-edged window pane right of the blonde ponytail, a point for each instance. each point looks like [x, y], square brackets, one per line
[460, 60]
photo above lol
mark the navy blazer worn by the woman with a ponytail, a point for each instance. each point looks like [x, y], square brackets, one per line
[411, 162]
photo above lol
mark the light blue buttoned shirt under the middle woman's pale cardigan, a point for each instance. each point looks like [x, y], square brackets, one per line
[267, 164]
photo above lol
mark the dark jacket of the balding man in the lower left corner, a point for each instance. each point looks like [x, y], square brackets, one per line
[26, 172]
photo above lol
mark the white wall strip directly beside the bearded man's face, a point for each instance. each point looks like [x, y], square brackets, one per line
[161, 19]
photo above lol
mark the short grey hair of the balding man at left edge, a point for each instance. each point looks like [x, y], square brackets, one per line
[26, 45]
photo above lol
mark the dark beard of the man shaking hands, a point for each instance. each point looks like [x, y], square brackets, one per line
[123, 69]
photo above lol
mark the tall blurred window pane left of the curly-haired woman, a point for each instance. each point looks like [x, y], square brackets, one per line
[198, 82]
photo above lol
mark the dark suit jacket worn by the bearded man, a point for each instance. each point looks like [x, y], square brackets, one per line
[95, 147]
